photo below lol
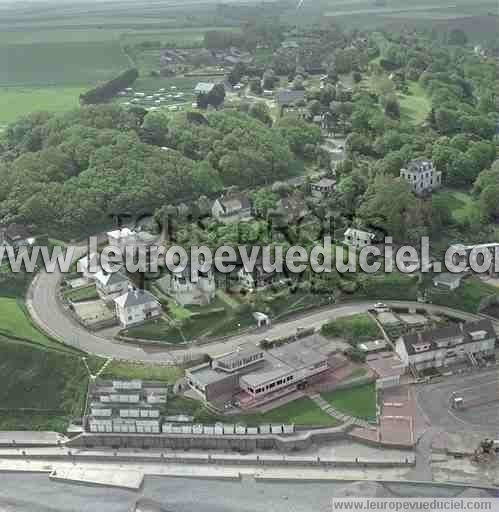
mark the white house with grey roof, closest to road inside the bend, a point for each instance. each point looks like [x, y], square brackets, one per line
[136, 306]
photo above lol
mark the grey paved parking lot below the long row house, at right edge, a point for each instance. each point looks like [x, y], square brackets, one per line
[483, 414]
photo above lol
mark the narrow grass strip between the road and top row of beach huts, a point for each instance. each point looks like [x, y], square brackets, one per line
[132, 370]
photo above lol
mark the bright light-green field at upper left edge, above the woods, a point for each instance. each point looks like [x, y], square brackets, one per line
[20, 101]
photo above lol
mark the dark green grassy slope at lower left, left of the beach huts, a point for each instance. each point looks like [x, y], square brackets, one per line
[51, 384]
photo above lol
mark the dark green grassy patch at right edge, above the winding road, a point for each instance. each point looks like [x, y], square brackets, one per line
[466, 298]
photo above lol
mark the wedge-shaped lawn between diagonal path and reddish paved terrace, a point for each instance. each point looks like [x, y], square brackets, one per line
[359, 401]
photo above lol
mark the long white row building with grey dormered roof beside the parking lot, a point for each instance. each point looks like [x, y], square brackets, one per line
[447, 345]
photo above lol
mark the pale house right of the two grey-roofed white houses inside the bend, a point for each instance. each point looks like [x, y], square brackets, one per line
[187, 290]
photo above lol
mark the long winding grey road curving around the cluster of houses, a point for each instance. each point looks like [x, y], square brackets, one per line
[48, 312]
